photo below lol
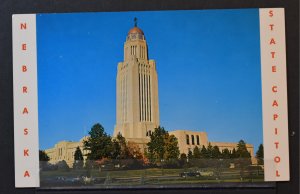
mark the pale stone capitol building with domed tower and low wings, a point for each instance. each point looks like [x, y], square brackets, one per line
[137, 106]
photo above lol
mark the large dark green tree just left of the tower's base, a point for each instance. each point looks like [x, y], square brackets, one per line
[98, 143]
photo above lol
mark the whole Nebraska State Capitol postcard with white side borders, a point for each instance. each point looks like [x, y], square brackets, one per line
[147, 99]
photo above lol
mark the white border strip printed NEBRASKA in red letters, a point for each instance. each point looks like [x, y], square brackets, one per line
[25, 101]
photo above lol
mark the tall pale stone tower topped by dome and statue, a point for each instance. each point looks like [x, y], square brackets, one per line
[137, 90]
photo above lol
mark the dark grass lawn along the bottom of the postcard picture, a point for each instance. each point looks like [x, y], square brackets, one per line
[152, 176]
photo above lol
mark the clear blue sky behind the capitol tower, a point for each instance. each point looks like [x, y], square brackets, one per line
[208, 65]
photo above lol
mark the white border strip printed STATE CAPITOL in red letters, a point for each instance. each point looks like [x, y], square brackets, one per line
[274, 94]
